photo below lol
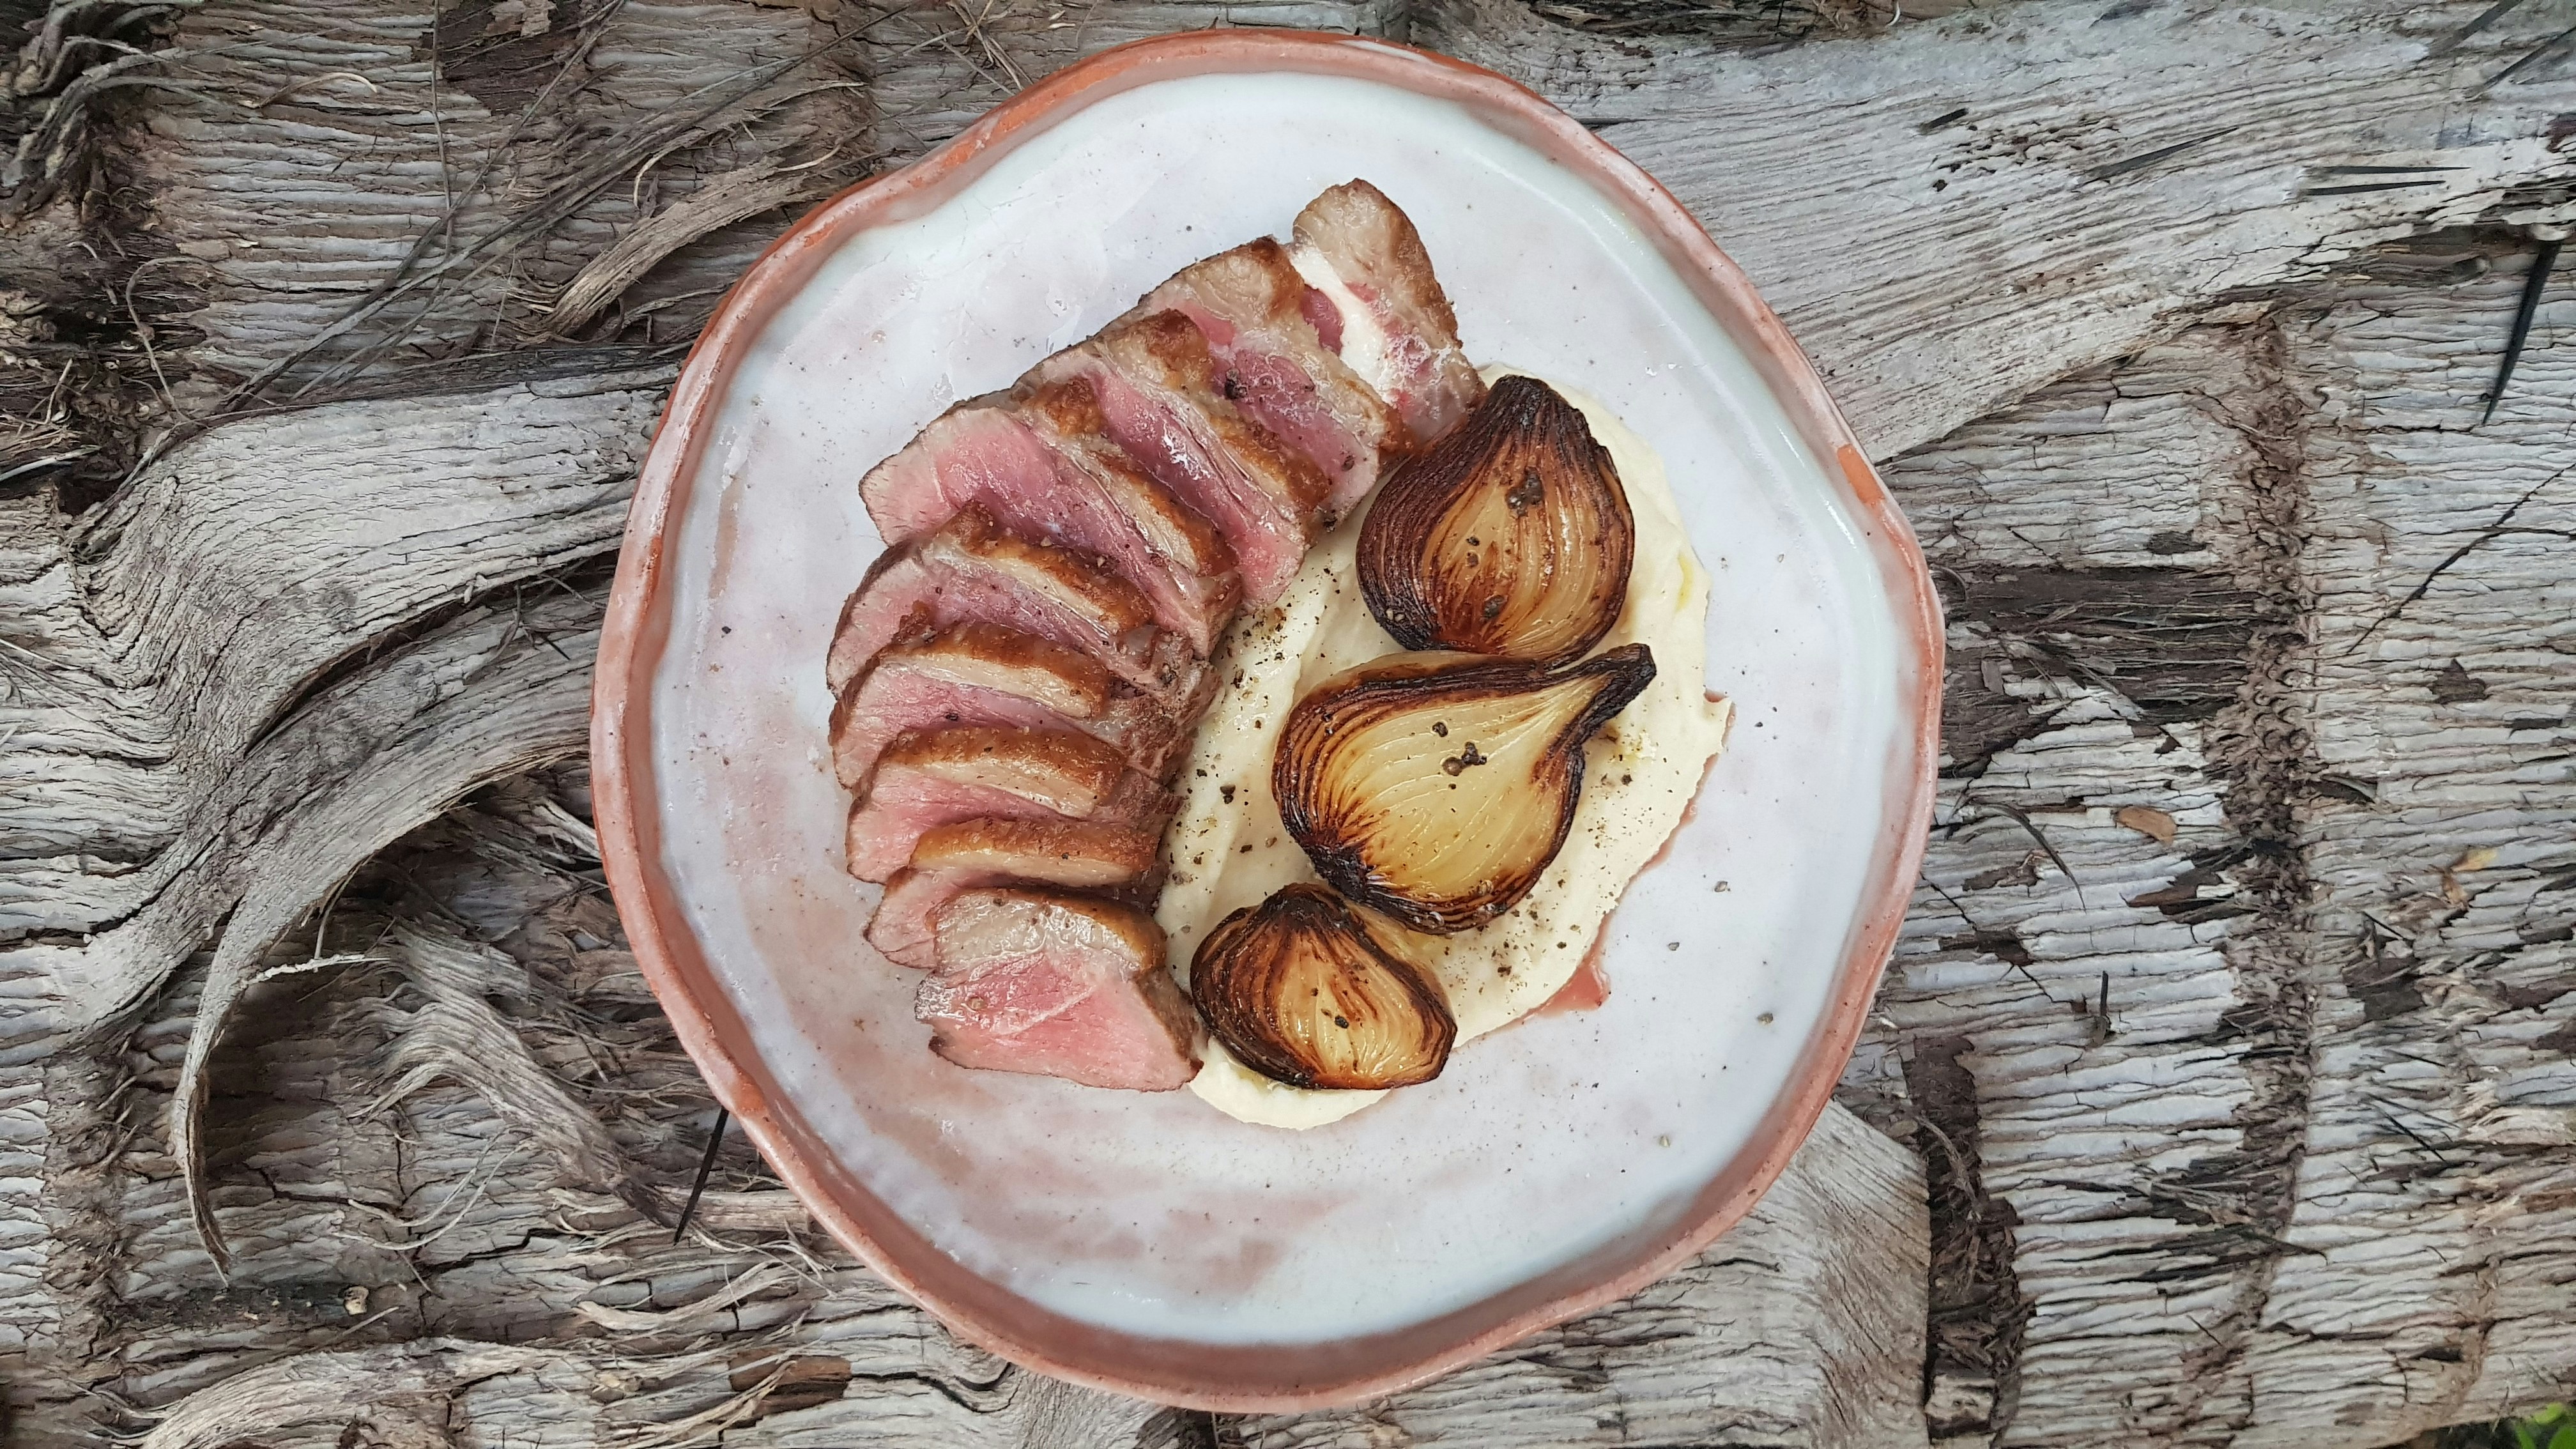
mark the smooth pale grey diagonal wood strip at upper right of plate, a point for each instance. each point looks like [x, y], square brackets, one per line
[1959, 213]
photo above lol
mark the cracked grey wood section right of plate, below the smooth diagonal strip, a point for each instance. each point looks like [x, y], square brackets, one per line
[2312, 1162]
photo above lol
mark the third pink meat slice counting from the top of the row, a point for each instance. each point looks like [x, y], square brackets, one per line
[1160, 396]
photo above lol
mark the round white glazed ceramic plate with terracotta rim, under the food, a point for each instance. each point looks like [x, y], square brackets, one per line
[1148, 1244]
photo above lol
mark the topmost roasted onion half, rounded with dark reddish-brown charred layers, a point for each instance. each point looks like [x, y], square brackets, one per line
[1508, 538]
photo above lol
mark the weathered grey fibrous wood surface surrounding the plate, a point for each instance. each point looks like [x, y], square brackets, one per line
[2232, 1035]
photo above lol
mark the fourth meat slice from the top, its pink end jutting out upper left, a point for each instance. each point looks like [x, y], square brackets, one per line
[983, 452]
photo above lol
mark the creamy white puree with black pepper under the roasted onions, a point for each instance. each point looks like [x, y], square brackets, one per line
[1640, 777]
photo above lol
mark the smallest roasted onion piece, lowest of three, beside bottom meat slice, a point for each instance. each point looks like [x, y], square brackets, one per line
[1307, 994]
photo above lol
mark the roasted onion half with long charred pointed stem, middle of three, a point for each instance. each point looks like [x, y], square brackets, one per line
[1436, 788]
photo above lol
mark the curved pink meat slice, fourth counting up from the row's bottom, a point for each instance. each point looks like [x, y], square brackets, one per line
[990, 674]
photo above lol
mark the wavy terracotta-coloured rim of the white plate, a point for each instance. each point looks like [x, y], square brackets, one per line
[1181, 1373]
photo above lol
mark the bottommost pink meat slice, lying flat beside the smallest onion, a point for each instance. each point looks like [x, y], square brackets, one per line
[1057, 986]
